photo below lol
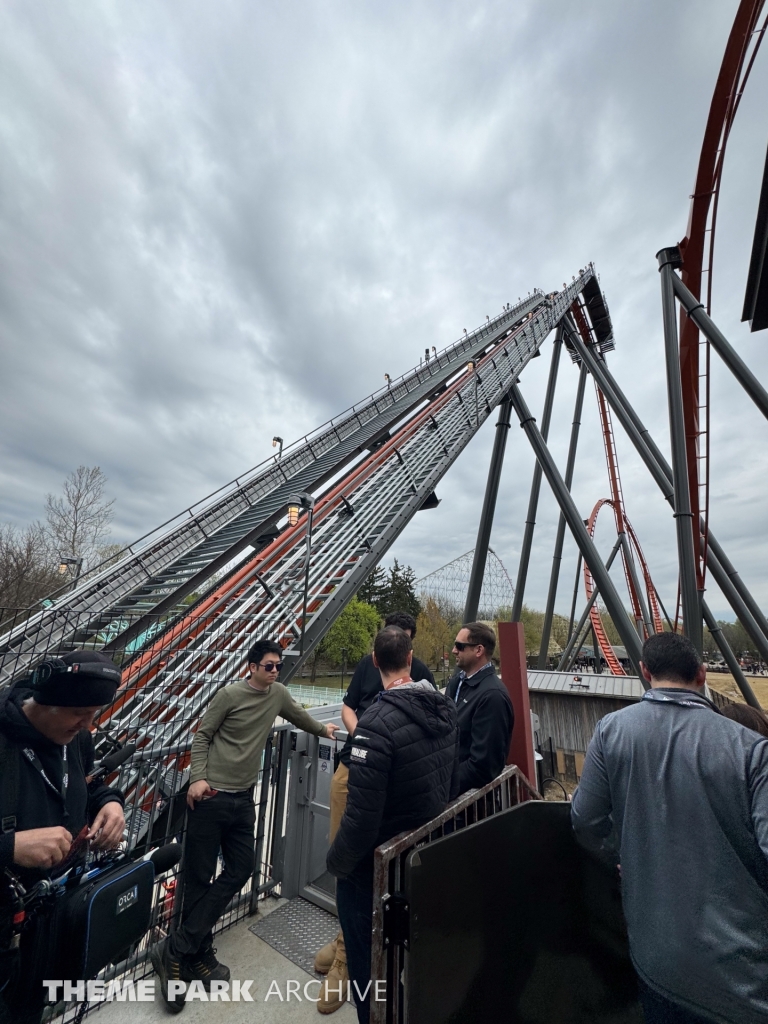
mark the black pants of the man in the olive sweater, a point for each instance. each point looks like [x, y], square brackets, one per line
[223, 823]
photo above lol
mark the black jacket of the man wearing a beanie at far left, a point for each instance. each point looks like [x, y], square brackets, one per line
[37, 806]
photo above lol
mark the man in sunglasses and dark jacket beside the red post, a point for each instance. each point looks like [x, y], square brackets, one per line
[484, 707]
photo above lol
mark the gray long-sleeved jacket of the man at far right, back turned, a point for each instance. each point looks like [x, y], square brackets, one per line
[685, 792]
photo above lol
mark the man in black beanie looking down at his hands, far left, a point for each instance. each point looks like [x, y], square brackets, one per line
[48, 802]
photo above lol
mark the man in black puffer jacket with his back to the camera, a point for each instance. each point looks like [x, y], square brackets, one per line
[404, 770]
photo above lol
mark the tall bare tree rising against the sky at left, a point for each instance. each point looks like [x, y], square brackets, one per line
[79, 521]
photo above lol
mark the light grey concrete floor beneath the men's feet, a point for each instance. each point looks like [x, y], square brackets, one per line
[250, 959]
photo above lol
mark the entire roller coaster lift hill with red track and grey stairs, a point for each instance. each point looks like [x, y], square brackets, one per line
[371, 471]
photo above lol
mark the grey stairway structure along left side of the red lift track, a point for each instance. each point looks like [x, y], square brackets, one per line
[153, 578]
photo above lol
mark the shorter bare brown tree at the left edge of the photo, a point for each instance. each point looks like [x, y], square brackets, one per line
[28, 567]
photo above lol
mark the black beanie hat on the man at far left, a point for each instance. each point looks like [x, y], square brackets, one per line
[78, 679]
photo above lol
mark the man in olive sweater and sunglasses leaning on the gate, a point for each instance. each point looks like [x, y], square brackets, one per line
[226, 763]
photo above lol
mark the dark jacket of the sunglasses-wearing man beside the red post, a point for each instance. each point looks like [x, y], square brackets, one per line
[486, 721]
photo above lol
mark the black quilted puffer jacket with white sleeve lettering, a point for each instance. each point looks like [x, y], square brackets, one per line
[403, 773]
